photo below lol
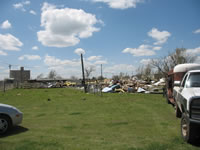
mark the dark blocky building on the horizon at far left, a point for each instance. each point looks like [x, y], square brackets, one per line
[20, 75]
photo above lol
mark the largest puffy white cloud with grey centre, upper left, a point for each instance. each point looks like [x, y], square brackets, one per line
[66, 26]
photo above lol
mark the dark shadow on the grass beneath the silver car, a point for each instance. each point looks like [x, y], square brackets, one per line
[14, 131]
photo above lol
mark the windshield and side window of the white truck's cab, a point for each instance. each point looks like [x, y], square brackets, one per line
[194, 80]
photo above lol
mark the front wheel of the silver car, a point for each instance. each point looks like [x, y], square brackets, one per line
[5, 124]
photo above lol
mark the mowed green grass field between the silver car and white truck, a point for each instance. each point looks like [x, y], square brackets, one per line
[68, 119]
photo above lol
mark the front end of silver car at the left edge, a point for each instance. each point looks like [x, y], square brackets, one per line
[9, 117]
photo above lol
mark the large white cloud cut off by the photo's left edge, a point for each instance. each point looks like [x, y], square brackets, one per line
[10, 42]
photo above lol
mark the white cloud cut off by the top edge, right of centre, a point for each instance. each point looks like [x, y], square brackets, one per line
[120, 4]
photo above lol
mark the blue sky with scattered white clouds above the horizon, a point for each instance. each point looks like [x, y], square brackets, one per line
[120, 34]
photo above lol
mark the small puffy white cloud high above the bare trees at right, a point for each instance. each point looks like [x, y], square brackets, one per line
[160, 36]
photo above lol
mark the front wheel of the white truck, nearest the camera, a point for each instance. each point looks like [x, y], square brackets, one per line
[188, 130]
